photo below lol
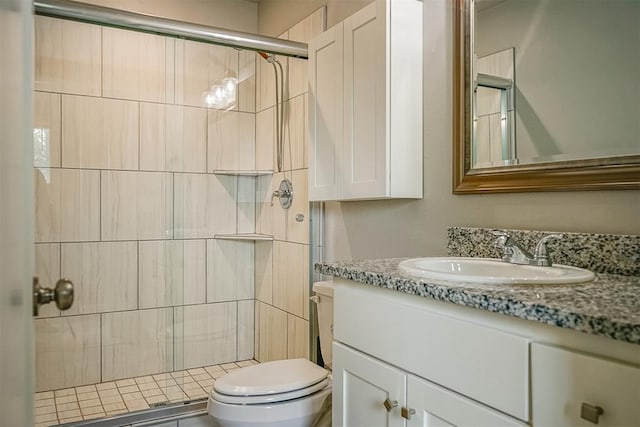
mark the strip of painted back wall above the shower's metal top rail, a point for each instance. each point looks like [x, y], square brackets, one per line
[236, 15]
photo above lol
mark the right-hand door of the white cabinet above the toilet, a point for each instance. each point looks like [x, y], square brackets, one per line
[365, 115]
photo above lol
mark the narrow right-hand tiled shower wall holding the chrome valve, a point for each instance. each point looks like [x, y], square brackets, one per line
[282, 268]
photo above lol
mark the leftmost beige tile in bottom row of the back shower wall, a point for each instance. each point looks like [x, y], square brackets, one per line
[67, 351]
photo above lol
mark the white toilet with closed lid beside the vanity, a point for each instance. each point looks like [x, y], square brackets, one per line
[283, 393]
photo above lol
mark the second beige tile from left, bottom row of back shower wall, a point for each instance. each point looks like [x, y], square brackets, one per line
[136, 343]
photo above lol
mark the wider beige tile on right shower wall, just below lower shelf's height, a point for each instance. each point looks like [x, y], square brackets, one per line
[290, 269]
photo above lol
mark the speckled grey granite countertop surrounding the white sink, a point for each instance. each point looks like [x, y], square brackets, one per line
[609, 306]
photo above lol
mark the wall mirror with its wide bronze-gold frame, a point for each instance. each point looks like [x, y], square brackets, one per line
[546, 95]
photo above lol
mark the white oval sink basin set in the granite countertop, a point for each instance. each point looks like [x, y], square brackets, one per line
[492, 271]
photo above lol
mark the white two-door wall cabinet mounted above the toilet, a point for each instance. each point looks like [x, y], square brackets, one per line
[365, 105]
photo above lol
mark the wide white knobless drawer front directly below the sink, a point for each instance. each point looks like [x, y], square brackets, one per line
[484, 364]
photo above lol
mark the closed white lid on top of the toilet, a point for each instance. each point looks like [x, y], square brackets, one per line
[270, 378]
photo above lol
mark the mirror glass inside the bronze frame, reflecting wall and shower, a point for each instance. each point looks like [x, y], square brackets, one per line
[554, 80]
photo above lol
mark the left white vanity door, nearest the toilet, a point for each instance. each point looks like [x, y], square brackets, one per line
[361, 386]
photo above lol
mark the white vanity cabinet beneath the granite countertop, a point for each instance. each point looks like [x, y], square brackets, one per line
[448, 365]
